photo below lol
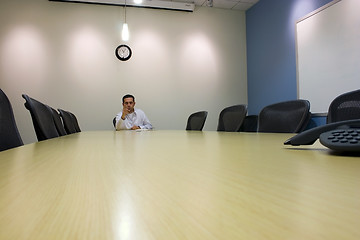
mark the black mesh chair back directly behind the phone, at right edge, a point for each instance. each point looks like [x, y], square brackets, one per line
[344, 107]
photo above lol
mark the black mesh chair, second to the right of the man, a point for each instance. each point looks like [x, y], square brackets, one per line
[231, 118]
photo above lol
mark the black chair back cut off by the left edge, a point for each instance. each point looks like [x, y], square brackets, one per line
[9, 134]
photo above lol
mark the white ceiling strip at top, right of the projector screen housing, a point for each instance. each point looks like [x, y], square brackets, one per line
[225, 4]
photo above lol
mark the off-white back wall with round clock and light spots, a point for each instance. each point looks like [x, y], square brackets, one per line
[62, 54]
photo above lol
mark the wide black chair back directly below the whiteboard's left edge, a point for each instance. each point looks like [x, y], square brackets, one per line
[285, 117]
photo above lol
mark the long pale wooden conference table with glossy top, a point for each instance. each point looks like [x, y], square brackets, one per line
[177, 185]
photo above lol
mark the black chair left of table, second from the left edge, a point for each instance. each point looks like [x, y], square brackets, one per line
[42, 119]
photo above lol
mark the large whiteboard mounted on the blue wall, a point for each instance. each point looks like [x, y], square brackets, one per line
[328, 53]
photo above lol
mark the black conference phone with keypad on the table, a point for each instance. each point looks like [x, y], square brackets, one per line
[338, 136]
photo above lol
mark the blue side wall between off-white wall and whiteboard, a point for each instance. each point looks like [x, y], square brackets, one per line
[271, 54]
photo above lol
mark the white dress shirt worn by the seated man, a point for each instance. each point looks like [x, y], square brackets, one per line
[136, 118]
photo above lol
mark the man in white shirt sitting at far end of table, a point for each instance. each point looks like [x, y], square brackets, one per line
[130, 117]
